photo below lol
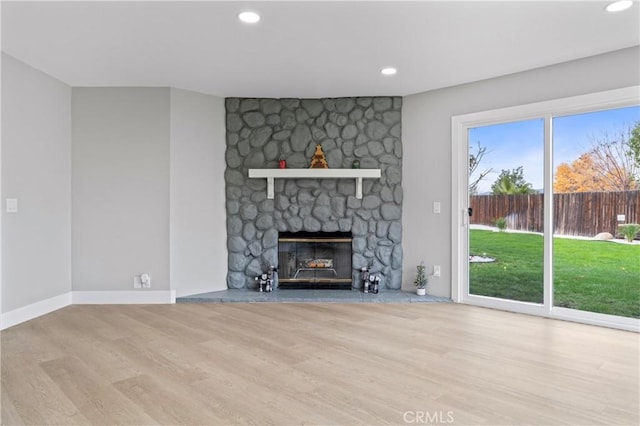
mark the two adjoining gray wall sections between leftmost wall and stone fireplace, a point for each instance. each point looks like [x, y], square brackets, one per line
[148, 166]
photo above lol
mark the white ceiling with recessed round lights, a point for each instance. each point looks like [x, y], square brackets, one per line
[306, 49]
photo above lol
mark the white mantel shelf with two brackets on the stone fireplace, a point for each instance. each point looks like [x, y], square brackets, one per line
[271, 174]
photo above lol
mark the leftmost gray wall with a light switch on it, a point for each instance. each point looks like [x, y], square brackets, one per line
[36, 169]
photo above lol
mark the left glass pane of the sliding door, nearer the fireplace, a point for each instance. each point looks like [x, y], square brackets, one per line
[506, 165]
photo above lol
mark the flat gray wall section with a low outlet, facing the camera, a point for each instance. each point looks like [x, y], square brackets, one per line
[120, 187]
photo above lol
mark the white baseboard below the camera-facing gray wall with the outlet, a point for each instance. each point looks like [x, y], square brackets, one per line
[140, 297]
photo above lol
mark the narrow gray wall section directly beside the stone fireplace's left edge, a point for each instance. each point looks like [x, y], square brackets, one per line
[198, 215]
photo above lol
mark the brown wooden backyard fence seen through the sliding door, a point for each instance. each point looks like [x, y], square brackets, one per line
[577, 213]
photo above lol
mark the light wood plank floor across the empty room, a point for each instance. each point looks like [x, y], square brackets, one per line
[289, 364]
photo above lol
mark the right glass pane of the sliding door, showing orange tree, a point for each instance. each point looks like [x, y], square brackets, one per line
[596, 252]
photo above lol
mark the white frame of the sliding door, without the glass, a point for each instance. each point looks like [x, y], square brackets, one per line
[460, 125]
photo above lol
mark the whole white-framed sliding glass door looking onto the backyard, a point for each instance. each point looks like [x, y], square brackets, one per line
[547, 202]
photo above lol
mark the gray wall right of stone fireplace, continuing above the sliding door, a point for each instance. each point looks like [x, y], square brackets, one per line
[426, 134]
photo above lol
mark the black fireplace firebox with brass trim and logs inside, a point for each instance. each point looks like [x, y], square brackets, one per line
[315, 260]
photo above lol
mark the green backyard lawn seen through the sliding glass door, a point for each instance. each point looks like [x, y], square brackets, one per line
[596, 276]
